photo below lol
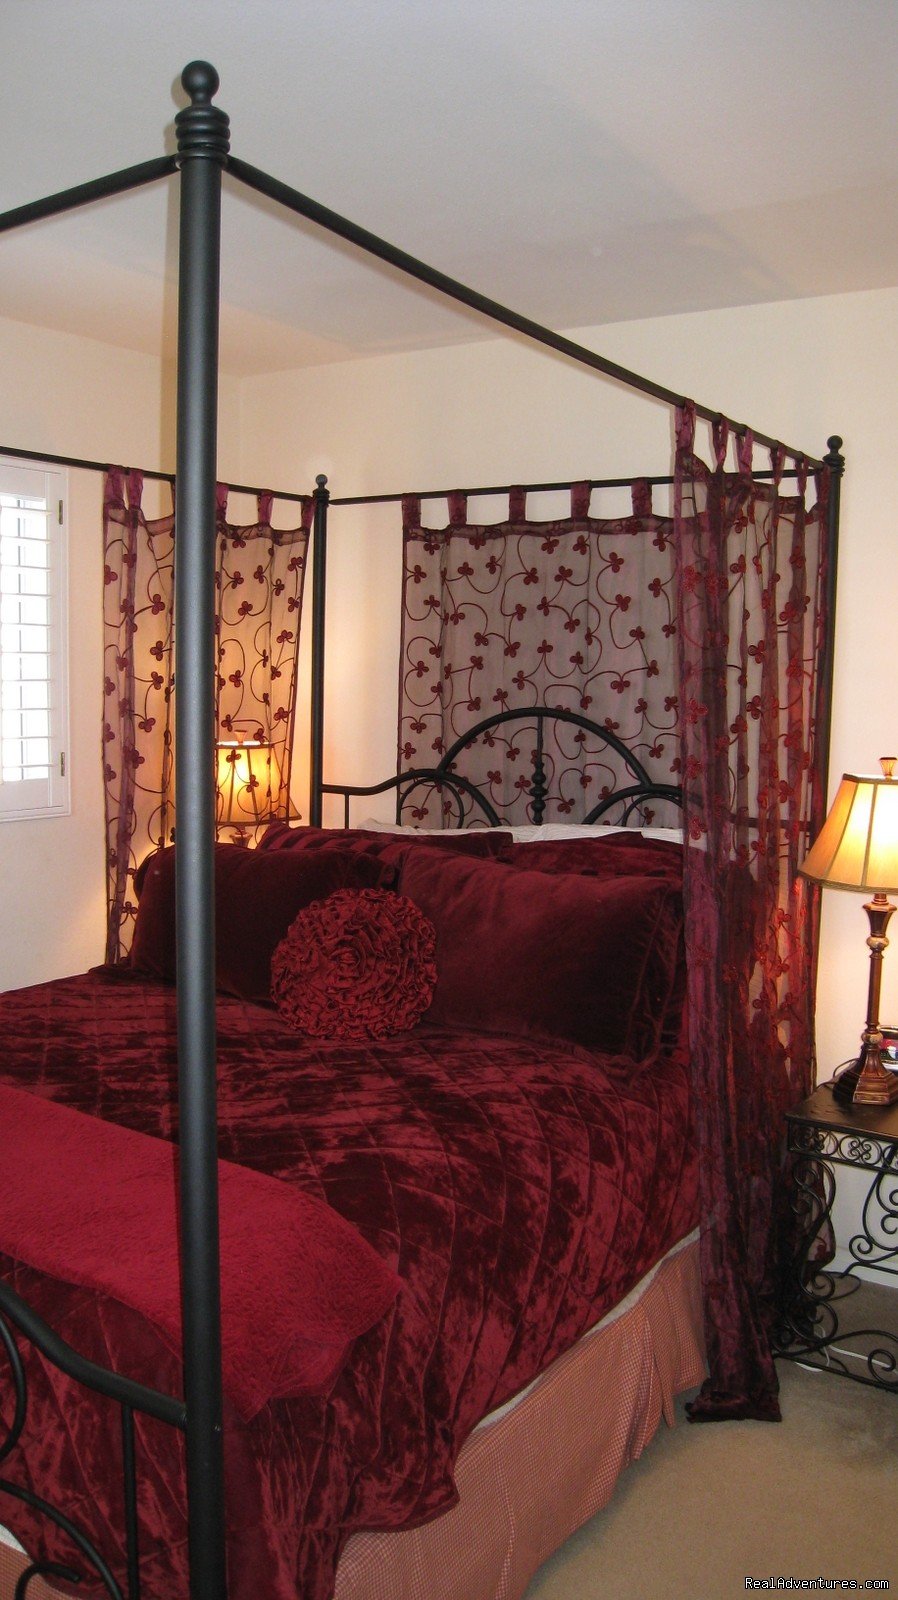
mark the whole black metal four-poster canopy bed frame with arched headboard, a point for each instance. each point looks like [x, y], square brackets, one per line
[202, 156]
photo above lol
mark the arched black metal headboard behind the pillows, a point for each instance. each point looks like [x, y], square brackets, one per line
[460, 788]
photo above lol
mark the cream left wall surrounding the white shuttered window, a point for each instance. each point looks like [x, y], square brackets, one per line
[76, 398]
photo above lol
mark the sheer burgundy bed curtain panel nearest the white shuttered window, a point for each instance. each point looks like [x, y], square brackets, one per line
[260, 574]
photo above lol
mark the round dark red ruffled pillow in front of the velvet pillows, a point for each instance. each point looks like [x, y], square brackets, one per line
[356, 966]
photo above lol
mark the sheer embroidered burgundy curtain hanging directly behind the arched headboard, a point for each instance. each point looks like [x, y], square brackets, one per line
[575, 614]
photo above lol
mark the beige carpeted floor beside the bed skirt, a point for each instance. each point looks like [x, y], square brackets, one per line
[708, 1506]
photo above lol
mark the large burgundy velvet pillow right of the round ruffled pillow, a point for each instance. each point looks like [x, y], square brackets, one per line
[571, 958]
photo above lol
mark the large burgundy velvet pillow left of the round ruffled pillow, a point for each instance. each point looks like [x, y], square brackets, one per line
[255, 902]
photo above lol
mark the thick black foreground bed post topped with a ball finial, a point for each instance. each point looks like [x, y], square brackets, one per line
[202, 153]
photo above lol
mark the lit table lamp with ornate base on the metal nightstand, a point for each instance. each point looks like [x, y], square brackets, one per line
[857, 849]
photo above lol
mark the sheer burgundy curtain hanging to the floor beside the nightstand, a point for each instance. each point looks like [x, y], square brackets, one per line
[752, 647]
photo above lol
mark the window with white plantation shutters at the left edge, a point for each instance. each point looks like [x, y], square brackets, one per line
[33, 641]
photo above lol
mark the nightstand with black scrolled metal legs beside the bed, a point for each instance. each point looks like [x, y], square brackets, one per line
[825, 1316]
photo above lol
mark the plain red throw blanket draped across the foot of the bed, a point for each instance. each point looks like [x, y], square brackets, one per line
[95, 1206]
